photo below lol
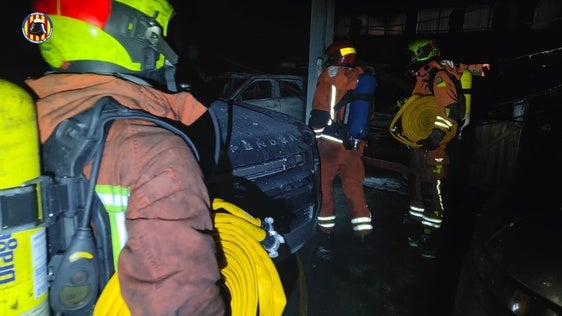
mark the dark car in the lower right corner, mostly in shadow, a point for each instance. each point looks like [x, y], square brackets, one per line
[513, 265]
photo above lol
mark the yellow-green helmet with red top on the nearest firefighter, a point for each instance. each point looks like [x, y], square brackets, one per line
[108, 36]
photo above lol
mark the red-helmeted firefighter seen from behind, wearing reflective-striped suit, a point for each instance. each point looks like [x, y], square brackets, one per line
[338, 156]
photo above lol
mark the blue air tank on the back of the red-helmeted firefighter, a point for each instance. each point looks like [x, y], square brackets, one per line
[358, 112]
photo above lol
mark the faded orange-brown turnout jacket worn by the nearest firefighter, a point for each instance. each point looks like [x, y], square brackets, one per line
[168, 263]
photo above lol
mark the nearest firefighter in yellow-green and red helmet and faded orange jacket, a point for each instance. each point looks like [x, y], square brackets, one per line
[168, 264]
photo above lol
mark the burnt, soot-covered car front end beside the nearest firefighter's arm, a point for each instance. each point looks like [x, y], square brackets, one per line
[269, 166]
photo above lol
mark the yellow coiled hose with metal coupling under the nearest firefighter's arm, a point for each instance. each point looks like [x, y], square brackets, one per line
[250, 275]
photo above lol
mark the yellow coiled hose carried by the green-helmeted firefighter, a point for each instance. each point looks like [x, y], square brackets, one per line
[415, 121]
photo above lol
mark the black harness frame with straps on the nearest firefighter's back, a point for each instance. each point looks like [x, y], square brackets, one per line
[79, 263]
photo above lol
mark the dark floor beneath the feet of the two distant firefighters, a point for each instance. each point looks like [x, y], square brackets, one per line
[392, 279]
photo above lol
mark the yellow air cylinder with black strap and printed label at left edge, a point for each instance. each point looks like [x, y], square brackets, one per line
[23, 245]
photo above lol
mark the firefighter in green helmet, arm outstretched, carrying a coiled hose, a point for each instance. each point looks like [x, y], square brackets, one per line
[429, 159]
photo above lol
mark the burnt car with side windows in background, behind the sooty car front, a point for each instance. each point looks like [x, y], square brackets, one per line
[284, 93]
